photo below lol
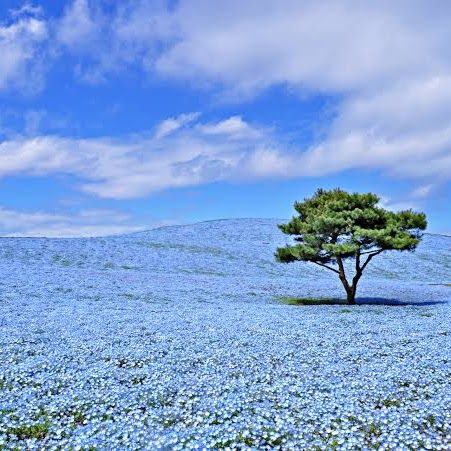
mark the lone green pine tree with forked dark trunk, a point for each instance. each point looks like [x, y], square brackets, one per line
[334, 225]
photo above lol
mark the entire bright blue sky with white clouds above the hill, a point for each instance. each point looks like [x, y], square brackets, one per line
[122, 116]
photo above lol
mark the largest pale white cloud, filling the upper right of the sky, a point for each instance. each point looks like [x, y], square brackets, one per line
[395, 112]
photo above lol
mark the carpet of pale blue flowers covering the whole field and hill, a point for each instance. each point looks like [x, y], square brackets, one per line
[175, 339]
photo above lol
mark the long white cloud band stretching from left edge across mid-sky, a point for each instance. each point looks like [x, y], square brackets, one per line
[139, 165]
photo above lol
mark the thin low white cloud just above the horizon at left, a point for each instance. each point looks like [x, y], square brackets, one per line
[86, 223]
